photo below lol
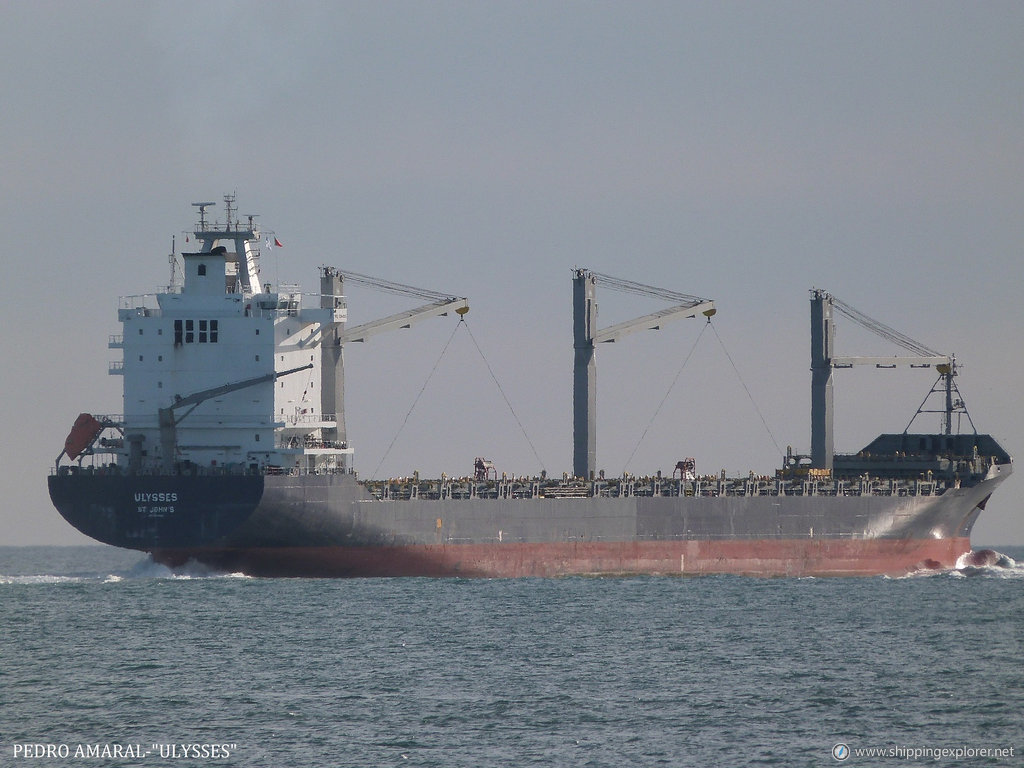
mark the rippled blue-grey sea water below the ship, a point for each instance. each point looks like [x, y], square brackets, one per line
[109, 660]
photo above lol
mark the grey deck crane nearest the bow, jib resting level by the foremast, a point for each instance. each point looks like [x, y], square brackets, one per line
[824, 361]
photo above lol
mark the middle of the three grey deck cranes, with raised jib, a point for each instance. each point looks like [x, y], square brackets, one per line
[586, 335]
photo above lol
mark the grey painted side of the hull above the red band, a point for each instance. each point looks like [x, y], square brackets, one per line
[336, 511]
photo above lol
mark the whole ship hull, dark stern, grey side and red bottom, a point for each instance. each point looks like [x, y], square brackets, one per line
[329, 526]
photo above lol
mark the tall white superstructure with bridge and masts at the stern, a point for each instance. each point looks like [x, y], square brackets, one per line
[225, 371]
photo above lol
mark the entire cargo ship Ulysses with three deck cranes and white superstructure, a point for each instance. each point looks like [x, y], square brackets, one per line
[233, 452]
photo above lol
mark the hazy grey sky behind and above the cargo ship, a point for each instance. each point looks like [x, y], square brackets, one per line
[744, 152]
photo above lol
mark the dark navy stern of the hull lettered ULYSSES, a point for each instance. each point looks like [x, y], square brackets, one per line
[148, 513]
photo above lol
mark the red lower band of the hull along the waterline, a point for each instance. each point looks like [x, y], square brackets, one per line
[808, 558]
